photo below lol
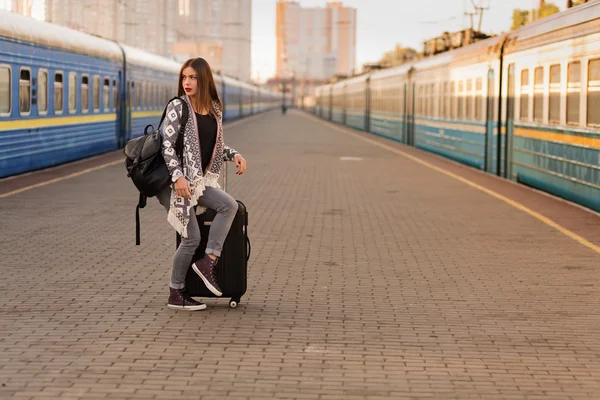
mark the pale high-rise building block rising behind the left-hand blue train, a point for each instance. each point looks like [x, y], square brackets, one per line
[217, 30]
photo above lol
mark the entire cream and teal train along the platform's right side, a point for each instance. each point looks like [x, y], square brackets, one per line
[523, 105]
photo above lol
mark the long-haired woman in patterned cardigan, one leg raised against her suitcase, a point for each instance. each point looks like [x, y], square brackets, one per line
[195, 179]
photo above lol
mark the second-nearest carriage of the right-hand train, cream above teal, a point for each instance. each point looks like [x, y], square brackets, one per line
[455, 104]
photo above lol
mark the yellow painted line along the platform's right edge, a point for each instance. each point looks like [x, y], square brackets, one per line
[505, 199]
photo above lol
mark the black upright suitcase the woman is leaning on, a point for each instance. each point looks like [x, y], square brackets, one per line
[232, 267]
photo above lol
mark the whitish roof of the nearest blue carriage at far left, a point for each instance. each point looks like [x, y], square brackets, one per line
[24, 29]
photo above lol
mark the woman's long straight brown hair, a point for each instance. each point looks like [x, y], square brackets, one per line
[207, 91]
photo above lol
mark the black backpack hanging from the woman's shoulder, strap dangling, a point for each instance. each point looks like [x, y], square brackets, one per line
[145, 164]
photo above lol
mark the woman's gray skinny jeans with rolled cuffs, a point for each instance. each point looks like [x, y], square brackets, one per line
[226, 208]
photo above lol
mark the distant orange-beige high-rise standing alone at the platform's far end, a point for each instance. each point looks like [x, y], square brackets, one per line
[315, 43]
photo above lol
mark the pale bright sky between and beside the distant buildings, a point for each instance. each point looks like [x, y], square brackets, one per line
[383, 23]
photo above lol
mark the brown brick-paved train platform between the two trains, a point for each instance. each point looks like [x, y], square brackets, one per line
[377, 271]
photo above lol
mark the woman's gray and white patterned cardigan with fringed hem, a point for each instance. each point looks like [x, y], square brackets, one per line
[181, 208]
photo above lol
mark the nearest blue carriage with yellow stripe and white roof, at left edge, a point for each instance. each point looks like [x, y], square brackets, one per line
[58, 94]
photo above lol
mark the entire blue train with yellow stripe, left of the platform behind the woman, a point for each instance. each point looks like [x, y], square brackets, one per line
[66, 95]
